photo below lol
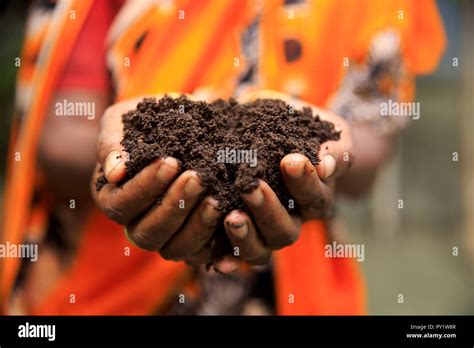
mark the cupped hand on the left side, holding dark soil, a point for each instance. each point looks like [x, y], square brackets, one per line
[177, 231]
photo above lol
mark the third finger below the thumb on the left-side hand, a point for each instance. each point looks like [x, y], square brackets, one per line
[195, 233]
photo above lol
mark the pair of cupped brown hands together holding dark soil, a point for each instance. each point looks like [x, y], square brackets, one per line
[180, 224]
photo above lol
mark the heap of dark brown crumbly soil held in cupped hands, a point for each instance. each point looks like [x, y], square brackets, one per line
[196, 133]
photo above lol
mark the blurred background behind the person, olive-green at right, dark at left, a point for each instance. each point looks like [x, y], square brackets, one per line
[408, 251]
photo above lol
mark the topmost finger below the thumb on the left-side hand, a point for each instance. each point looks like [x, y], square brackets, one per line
[122, 204]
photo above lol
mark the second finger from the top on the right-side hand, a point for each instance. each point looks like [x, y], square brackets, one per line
[276, 226]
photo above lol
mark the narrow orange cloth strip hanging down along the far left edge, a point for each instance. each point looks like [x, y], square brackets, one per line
[59, 36]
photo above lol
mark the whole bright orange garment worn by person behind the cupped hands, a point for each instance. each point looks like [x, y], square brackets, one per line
[202, 50]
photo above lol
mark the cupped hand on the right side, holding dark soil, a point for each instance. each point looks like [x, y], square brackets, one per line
[270, 227]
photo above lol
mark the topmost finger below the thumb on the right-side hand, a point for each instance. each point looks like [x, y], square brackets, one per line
[303, 183]
